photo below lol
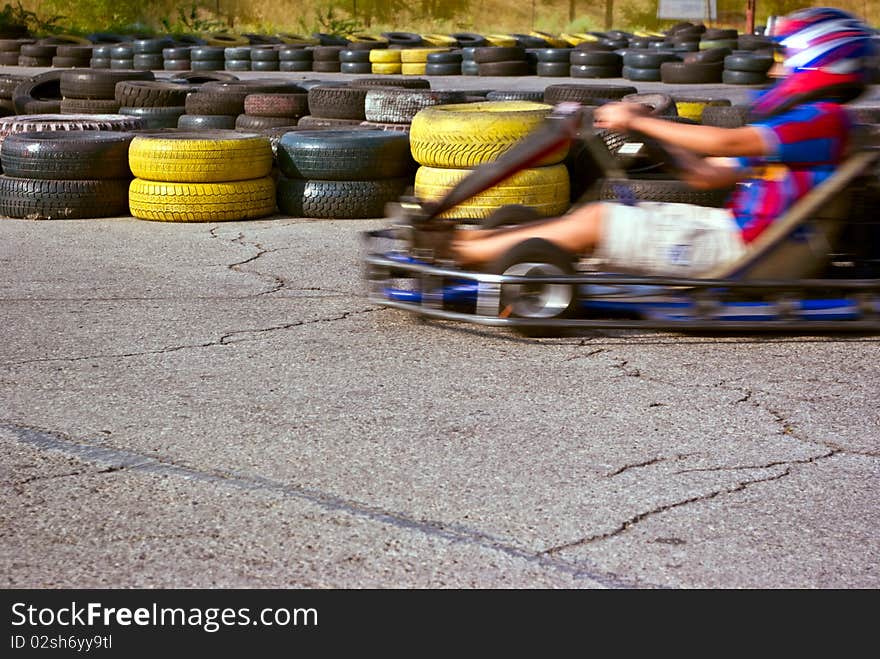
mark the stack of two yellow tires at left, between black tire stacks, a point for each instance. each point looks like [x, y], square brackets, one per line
[201, 176]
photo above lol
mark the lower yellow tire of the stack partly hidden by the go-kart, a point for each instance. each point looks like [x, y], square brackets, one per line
[545, 189]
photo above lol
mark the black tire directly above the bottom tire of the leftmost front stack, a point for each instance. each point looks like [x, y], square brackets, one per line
[71, 155]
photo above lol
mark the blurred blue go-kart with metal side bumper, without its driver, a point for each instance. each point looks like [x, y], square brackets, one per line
[816, 269]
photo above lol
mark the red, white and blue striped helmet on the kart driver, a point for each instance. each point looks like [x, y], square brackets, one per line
[826, 53]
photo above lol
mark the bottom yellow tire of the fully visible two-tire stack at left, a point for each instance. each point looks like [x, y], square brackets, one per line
[202, 202]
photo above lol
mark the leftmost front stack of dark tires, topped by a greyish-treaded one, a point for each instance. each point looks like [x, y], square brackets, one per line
[65, 168]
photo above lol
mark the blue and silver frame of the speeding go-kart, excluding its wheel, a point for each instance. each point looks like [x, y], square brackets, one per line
[402, 273]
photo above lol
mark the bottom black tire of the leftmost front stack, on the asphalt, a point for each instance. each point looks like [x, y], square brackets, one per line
[51, 199]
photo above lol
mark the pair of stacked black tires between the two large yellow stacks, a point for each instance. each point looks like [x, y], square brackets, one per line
[342, 173]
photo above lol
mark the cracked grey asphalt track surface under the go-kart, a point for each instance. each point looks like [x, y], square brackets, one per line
[218, 405]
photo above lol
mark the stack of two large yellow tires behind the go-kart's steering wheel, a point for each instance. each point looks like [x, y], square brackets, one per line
[450, 141]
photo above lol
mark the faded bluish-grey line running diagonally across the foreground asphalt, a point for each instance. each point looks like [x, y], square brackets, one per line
[123, 460]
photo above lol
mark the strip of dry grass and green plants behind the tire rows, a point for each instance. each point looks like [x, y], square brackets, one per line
[375, 16]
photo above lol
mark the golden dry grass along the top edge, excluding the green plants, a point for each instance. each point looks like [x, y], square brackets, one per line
[485, 16]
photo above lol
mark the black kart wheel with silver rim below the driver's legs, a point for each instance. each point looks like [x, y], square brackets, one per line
[540, 258]
